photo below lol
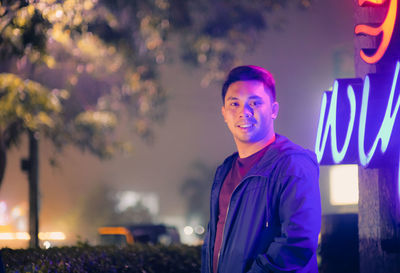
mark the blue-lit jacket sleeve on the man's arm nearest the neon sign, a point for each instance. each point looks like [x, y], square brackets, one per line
[299, 210]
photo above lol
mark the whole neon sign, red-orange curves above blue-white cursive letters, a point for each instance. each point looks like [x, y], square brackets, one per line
[359, 119]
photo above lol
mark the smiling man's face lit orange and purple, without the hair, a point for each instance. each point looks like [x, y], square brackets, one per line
[249, 112]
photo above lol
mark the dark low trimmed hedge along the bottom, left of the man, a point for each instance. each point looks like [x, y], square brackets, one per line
[136, 258]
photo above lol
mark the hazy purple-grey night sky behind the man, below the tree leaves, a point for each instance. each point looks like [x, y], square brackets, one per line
[314, 47]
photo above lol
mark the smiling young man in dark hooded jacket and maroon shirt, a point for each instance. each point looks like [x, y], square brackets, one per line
[265, 203]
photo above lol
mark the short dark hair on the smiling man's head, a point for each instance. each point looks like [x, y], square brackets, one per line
[250, 73]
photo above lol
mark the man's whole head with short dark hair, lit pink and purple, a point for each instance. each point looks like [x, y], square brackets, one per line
[250, 108]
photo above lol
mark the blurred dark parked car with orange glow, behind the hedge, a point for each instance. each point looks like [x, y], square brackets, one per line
[138, 233]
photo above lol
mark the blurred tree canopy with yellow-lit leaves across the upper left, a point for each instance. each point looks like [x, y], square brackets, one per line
[77, 67]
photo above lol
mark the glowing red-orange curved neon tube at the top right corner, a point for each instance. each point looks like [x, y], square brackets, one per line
[386, 28]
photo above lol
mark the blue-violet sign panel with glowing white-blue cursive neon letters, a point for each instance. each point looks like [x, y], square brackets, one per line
[354, 101]
